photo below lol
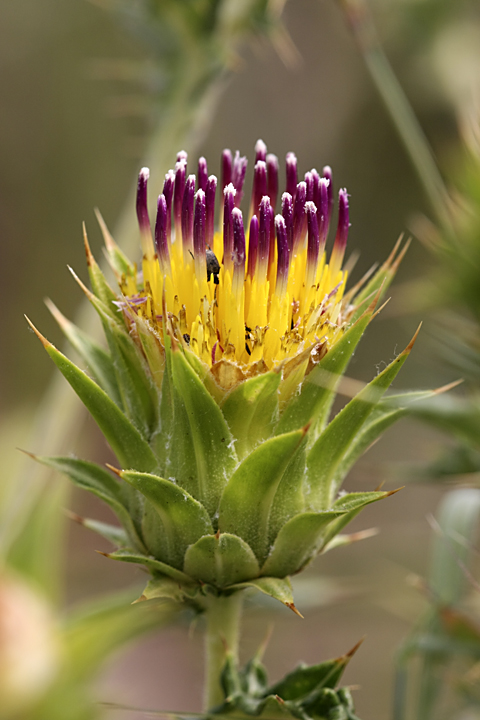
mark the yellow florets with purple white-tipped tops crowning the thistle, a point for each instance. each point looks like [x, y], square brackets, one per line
[257, 294]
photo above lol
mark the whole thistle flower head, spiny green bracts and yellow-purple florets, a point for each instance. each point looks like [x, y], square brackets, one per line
[220, 375]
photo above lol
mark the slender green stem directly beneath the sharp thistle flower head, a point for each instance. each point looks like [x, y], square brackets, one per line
[223, 616]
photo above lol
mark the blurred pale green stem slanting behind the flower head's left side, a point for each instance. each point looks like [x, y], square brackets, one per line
[193, 46]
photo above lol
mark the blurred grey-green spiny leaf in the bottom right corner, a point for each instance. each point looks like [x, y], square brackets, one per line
[447, 639]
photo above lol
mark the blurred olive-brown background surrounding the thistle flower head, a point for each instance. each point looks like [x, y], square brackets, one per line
[74, 125]
